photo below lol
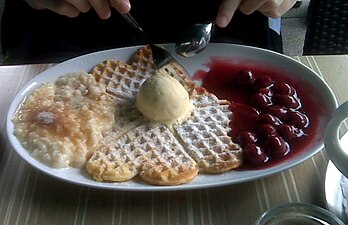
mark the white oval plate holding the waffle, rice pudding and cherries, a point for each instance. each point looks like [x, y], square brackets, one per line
[86, 63]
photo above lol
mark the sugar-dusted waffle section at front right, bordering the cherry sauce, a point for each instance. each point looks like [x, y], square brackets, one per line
[204, 136]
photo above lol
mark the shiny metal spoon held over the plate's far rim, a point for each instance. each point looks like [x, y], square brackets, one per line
[194, 40]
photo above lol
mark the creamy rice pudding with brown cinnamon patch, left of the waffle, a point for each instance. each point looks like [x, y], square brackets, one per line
[61, 122]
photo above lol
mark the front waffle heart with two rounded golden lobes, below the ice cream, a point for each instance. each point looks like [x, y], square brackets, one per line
[152, 152]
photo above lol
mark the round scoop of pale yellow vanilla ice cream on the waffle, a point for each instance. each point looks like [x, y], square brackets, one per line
[162, 98]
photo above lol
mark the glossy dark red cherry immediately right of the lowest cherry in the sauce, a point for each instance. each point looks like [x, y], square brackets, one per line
[277, 146]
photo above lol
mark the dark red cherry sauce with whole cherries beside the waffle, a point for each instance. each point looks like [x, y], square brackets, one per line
[274, 118]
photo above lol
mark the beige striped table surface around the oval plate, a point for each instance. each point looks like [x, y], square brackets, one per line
[28, 196]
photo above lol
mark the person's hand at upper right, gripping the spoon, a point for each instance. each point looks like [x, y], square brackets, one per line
[271, 8]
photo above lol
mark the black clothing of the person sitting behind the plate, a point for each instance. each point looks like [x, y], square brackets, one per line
[42, 36]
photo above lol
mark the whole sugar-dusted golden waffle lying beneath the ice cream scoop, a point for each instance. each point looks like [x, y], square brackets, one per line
[159, 154]
